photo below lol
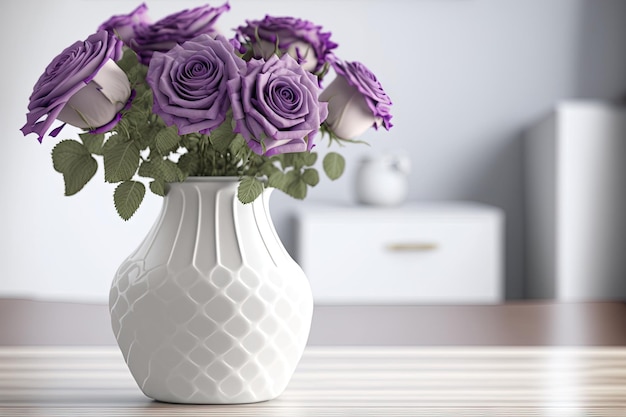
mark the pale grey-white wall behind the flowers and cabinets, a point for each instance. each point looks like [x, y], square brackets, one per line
[466, 77]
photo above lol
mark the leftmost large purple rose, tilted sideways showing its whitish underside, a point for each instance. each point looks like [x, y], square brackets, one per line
[82, 86]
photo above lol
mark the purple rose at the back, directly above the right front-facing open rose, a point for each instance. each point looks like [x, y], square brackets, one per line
[299, 38]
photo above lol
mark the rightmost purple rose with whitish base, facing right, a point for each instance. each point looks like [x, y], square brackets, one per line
[356, 101]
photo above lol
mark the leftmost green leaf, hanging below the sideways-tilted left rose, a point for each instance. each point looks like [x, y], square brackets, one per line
[72, 159]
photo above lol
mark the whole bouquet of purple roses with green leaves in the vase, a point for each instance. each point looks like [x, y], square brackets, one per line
[162, 101]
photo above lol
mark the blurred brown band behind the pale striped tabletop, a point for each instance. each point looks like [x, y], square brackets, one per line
[528, 323]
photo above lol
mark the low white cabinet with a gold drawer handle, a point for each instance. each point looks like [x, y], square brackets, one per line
[417, 253]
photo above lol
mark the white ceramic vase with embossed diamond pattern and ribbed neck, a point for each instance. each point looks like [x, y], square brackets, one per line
[211, 309]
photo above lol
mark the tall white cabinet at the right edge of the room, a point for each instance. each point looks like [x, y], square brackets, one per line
[576, 203]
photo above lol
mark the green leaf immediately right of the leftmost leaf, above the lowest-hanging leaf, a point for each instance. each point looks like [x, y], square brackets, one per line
[121, 159]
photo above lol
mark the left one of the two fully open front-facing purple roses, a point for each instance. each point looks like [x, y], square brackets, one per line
[189, 83]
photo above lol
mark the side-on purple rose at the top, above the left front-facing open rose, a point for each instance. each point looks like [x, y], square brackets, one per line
[175, 29]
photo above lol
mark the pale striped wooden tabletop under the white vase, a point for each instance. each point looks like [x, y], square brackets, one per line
[340, 381]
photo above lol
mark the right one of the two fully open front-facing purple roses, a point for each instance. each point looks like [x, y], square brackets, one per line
[275, 105]
